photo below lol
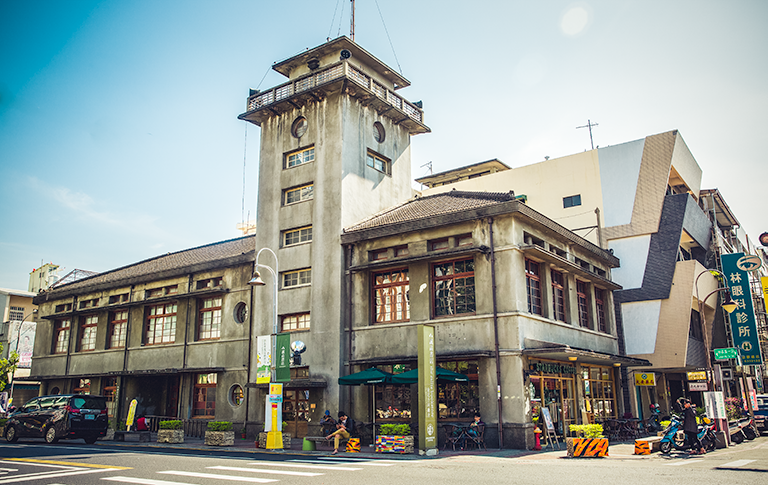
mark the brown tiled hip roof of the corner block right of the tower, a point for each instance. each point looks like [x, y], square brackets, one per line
[433, 205]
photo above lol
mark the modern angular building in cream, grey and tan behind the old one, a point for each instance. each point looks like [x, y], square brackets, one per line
[640, 199]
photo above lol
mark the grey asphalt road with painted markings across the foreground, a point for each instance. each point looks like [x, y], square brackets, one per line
[65, 463]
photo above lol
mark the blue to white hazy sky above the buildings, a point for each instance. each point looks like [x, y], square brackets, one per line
[119, 137]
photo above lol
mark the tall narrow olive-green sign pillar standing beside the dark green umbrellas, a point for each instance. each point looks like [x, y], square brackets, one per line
[427, 388]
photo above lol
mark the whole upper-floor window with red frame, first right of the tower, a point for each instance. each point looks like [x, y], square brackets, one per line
[396, 292]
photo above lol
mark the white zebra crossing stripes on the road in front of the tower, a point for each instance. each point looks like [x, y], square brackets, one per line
[256, 471]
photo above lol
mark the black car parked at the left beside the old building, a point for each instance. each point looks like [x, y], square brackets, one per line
[60, 417]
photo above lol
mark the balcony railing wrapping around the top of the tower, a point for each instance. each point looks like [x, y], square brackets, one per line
[331, 73]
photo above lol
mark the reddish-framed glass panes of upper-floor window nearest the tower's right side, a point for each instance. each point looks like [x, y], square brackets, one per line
[390, 296]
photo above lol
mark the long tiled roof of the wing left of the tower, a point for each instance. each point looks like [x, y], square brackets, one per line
[167, 263]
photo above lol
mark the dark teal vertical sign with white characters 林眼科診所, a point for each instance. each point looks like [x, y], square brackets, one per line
[743, 325]
